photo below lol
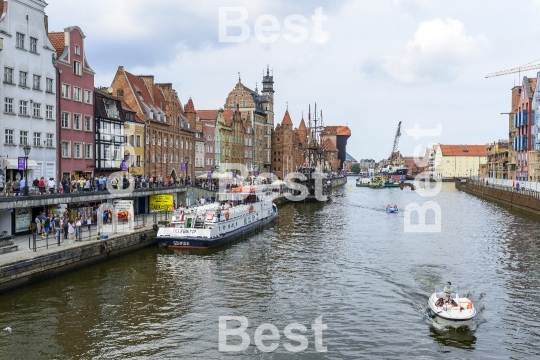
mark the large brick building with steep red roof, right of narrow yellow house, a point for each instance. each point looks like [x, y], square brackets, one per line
[169, 140]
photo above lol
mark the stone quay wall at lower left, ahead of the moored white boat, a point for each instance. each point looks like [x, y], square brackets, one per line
[57, 261]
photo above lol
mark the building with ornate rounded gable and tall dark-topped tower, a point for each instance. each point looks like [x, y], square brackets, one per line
[258, 111]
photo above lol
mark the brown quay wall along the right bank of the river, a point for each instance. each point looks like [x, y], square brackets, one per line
[513, 199]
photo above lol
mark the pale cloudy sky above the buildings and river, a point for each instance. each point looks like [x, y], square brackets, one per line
[367, 64]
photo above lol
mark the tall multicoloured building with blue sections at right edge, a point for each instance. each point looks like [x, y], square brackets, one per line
[523, 127]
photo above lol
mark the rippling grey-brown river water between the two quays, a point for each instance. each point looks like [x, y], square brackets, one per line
[347, 261]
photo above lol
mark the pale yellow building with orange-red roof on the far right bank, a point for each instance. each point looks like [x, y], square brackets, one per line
[459, 160]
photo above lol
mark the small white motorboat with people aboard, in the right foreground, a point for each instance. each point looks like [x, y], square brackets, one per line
[458, 314]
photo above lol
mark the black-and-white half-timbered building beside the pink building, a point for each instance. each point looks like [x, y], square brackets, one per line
[110, 141]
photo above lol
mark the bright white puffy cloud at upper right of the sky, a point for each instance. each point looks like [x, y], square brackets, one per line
[439, 51]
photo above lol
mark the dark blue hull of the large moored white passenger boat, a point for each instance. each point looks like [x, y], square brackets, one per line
[186, 242]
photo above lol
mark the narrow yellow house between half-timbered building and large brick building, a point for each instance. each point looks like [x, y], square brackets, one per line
[135, 136]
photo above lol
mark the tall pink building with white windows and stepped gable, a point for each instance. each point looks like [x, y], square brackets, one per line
[76, 122]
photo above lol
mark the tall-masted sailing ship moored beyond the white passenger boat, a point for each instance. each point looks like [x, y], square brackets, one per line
[318, 187]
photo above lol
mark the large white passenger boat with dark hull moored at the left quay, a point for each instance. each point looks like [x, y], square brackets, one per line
[215, 224]
